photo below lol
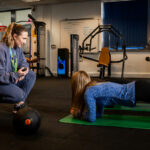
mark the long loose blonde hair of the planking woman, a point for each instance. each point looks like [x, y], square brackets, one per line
[79, 81]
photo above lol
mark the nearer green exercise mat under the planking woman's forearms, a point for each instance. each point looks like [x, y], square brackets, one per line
[125, 121]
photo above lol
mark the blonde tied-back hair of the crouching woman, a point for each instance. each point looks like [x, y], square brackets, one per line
[12, 29]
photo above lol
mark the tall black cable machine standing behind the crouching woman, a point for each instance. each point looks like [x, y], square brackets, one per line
[39, 32]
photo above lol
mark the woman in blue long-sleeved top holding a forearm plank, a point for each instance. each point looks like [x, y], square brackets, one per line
[89, 97]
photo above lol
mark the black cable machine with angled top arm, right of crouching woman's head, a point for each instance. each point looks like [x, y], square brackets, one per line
[36, 58]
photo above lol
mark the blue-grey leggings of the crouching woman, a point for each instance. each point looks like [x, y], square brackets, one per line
[14, 93]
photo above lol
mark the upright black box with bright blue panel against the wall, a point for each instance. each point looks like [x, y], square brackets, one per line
[63, 62]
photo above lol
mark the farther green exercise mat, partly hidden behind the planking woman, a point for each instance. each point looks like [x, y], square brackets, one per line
[139, 107]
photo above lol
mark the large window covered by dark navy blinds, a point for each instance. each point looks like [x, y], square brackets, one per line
[130, 19]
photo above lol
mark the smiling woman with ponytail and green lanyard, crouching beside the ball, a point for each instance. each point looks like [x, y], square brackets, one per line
[16, 80]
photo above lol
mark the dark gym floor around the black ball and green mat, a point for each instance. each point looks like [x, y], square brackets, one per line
[51, 97]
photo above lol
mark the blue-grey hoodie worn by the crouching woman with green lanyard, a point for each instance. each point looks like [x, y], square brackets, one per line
[7, 76]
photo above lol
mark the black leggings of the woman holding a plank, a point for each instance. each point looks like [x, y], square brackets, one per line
[142, 90]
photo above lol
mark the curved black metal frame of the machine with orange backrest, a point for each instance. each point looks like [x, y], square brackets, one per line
[111, 30]
